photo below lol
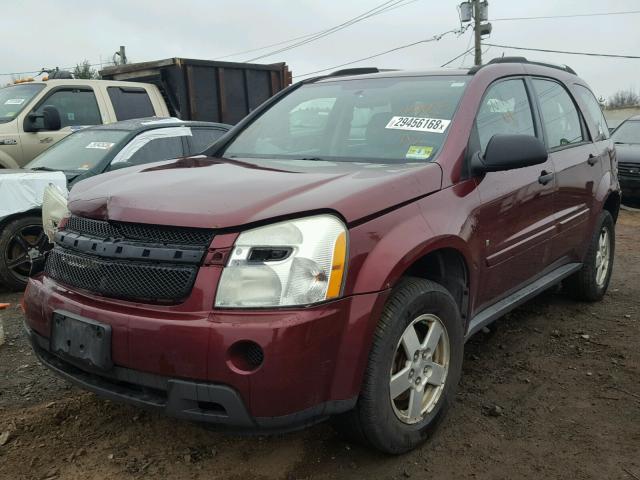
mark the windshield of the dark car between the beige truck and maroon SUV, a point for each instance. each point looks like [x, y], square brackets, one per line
[81, 150]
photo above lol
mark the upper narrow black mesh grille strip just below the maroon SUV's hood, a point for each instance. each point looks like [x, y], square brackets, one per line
[141, 231]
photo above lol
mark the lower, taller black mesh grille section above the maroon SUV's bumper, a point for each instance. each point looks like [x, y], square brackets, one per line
[126, 280]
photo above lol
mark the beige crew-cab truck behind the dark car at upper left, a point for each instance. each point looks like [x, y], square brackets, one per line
[34, 115]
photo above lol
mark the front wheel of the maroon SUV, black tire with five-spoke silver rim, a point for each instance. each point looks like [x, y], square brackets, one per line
[382, 422]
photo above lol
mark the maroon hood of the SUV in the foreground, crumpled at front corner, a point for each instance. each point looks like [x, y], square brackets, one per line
[218, 193]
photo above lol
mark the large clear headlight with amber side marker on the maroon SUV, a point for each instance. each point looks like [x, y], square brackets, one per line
[297, 262]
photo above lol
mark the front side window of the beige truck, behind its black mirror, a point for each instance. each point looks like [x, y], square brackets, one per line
[76, 107]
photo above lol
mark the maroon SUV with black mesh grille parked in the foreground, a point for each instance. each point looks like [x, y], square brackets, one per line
[331, 255]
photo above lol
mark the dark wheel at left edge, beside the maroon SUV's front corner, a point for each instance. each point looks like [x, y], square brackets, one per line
[21, 242]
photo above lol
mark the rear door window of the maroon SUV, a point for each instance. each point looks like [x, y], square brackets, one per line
[559, 115]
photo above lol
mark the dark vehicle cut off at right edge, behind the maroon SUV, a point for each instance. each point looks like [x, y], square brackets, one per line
[627, 140]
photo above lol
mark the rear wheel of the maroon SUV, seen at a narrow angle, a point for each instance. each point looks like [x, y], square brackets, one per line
[589, 283]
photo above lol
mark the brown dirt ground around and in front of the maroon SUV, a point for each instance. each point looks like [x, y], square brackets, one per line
[553, 391]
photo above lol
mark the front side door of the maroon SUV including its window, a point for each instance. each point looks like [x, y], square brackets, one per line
[516, 214]
